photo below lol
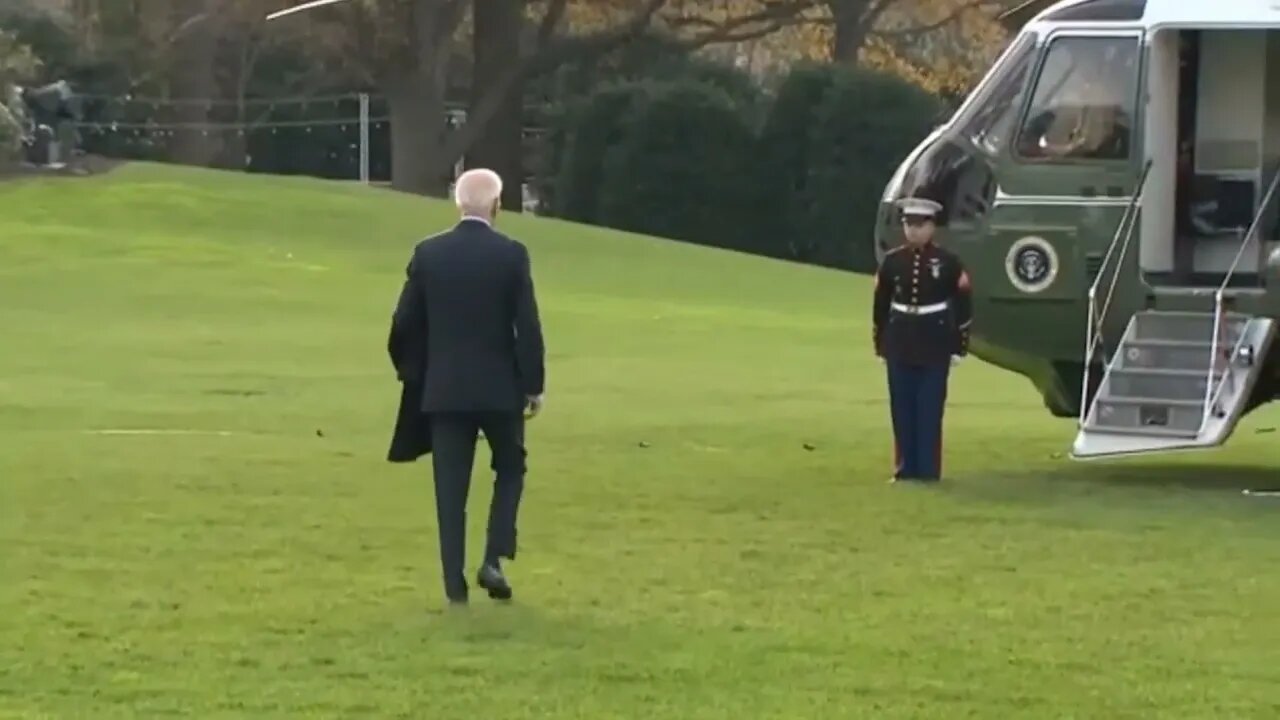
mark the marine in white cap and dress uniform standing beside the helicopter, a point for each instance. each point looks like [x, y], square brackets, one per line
[921, 322]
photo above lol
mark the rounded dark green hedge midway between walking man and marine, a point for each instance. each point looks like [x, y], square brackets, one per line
[685, 168]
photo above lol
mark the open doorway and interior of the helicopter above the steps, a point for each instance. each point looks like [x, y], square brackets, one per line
[1214, 133]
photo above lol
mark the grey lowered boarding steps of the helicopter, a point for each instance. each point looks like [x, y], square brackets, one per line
[1178, 381]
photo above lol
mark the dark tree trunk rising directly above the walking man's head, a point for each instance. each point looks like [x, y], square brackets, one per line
[501, 148]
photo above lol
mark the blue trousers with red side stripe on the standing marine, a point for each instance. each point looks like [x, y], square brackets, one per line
[918, 397]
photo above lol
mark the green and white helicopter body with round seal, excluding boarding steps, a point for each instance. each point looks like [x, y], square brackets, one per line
[1128, 148]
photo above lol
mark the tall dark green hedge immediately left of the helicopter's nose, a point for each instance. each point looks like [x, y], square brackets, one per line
[867, 124]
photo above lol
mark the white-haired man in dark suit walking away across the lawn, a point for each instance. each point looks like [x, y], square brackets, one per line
[468, 326]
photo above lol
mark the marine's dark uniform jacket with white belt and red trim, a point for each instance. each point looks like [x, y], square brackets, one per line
[909, 282]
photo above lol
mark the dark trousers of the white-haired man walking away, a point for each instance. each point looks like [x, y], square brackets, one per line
[454, 438]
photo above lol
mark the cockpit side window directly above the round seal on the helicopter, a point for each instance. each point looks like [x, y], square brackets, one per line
[1085, 102]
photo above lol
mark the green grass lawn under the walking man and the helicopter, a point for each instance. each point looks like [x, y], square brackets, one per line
[684, 555]
